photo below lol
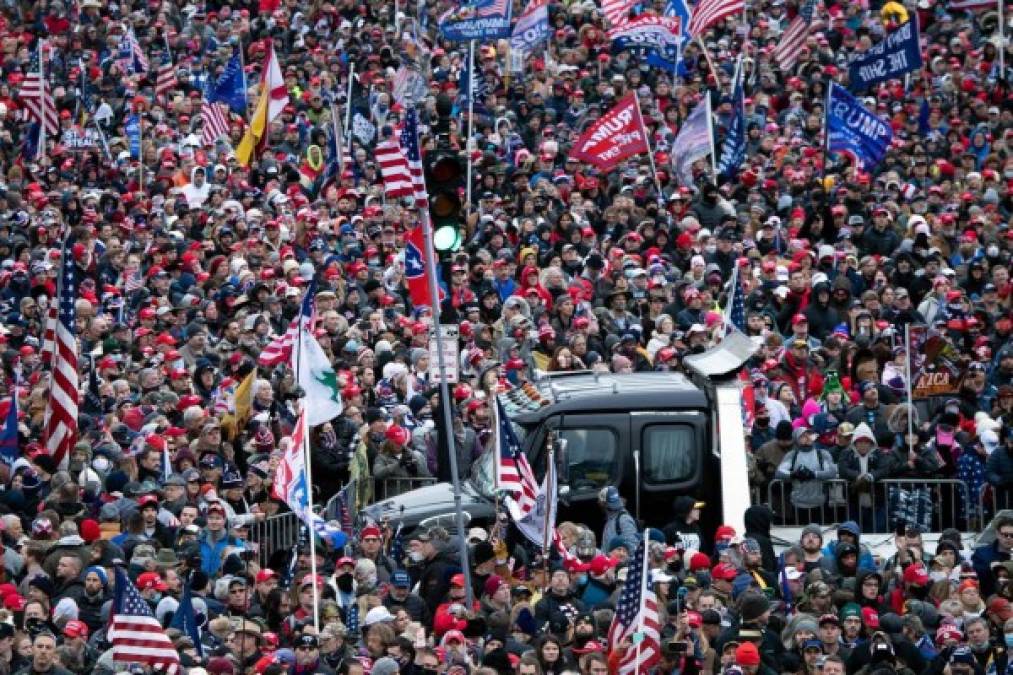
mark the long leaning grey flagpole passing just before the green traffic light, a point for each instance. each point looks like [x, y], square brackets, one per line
[445, 405]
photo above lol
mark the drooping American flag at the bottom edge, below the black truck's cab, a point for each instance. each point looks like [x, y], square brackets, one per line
[637, 613]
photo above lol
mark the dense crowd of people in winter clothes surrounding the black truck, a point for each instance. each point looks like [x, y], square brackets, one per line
[188, 264]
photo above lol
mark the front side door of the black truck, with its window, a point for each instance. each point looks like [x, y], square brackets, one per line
[594, 454]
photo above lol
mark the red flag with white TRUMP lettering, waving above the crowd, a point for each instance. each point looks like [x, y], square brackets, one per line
[617, 135]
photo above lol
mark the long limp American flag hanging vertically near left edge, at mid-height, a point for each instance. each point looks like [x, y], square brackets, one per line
[60, 422]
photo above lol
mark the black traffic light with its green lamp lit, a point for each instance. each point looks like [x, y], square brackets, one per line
[445, 176]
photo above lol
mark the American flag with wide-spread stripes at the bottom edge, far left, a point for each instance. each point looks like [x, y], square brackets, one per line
[136, 635]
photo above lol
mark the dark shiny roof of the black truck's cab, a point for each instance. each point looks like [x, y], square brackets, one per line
[582, 393]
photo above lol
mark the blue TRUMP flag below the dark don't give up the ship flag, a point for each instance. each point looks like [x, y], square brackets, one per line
[854, 131]
